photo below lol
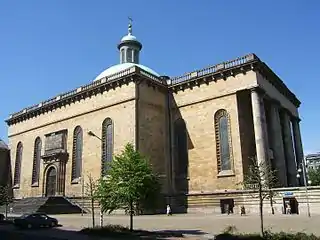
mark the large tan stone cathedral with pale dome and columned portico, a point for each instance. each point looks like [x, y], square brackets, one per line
[198, 130]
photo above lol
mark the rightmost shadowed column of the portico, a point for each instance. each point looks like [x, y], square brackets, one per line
[298, 146]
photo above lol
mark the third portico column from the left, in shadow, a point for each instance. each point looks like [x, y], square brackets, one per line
[289, 152]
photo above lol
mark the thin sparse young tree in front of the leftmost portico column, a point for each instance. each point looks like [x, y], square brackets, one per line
[261, 179]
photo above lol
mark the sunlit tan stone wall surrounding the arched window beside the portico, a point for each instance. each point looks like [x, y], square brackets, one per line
[197, 107]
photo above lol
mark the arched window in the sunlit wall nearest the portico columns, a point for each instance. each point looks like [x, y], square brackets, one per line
[223, 140]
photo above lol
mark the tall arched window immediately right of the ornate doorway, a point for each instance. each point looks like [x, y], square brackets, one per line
[77, 154]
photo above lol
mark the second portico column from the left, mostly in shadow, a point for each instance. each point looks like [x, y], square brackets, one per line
[277, 144]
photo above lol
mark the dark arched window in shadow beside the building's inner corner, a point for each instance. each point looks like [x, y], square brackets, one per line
[181, 148]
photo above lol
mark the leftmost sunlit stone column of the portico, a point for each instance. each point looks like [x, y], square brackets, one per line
[259, 125]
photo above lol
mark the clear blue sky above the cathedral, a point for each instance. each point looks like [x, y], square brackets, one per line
[48, 47]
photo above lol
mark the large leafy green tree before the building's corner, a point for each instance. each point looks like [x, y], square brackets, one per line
[130, 182]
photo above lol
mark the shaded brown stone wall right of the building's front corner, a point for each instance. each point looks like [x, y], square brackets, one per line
[153, 135]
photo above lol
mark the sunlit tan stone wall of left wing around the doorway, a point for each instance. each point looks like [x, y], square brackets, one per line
[118, 104]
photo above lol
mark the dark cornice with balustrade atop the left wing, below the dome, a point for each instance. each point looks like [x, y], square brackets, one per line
[133, 74]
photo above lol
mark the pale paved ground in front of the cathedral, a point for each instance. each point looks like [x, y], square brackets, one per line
[193, 226]
